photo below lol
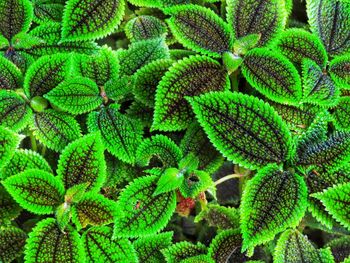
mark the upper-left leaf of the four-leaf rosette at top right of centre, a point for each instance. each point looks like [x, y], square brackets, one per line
[200, 29]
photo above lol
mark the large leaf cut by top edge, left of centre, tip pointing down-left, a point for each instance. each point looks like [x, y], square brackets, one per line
[89, 19]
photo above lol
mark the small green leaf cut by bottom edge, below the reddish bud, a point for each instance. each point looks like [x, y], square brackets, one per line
[183, 250]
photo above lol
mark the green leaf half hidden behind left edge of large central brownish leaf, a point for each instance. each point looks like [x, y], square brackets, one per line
[147, 79]
